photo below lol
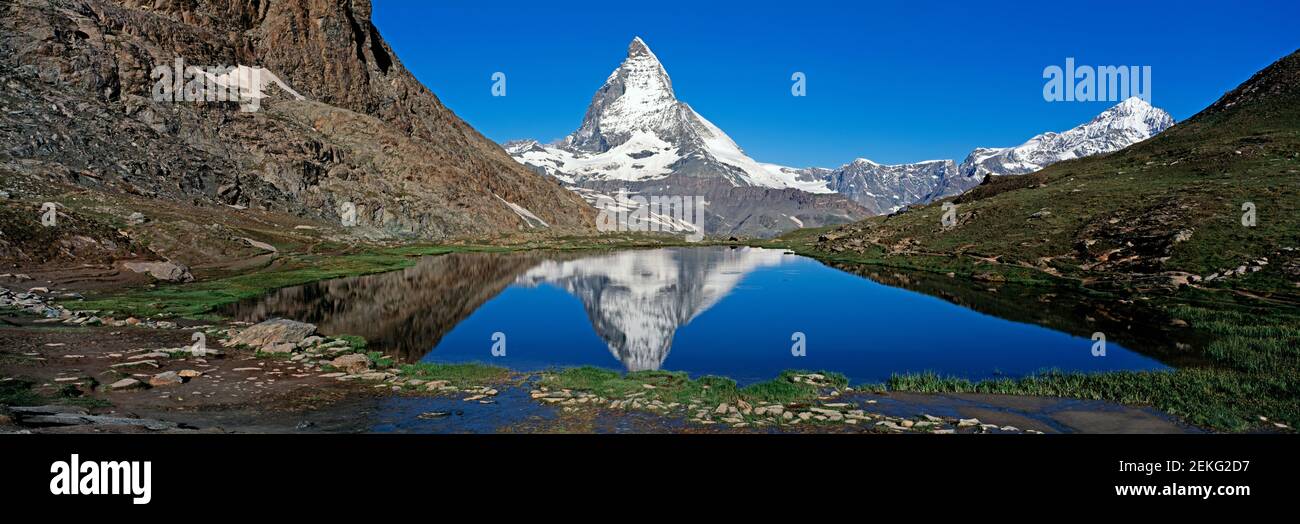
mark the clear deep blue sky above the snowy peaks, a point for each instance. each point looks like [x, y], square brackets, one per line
[891, 81]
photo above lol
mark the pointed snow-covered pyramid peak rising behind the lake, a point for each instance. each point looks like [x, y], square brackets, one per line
[638, 136]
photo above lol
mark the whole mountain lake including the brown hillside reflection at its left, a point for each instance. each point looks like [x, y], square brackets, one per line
[736, 313]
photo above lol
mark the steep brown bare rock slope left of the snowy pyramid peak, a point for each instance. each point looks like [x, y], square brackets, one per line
[79, 107]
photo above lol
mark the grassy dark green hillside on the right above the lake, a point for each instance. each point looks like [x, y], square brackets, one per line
[1211, 202]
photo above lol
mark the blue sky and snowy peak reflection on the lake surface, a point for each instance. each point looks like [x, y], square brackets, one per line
[733, 313]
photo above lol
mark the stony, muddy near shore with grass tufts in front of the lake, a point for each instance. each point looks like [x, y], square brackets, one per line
[246, 391]
